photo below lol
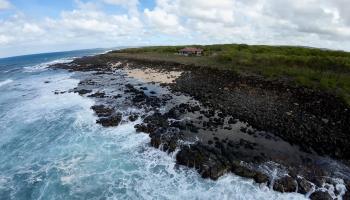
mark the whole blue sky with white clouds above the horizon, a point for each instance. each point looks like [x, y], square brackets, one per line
[33, 26]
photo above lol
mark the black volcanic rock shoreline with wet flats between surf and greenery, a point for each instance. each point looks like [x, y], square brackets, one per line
[290, 138]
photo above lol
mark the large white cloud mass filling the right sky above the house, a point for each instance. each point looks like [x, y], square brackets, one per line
[319, 23]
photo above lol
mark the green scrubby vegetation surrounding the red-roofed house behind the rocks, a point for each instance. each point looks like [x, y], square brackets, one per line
[316, 68]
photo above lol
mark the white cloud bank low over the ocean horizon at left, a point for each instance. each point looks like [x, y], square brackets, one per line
[87, 26]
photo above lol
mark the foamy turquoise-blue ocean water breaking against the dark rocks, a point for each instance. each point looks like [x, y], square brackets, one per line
[51, 147]
